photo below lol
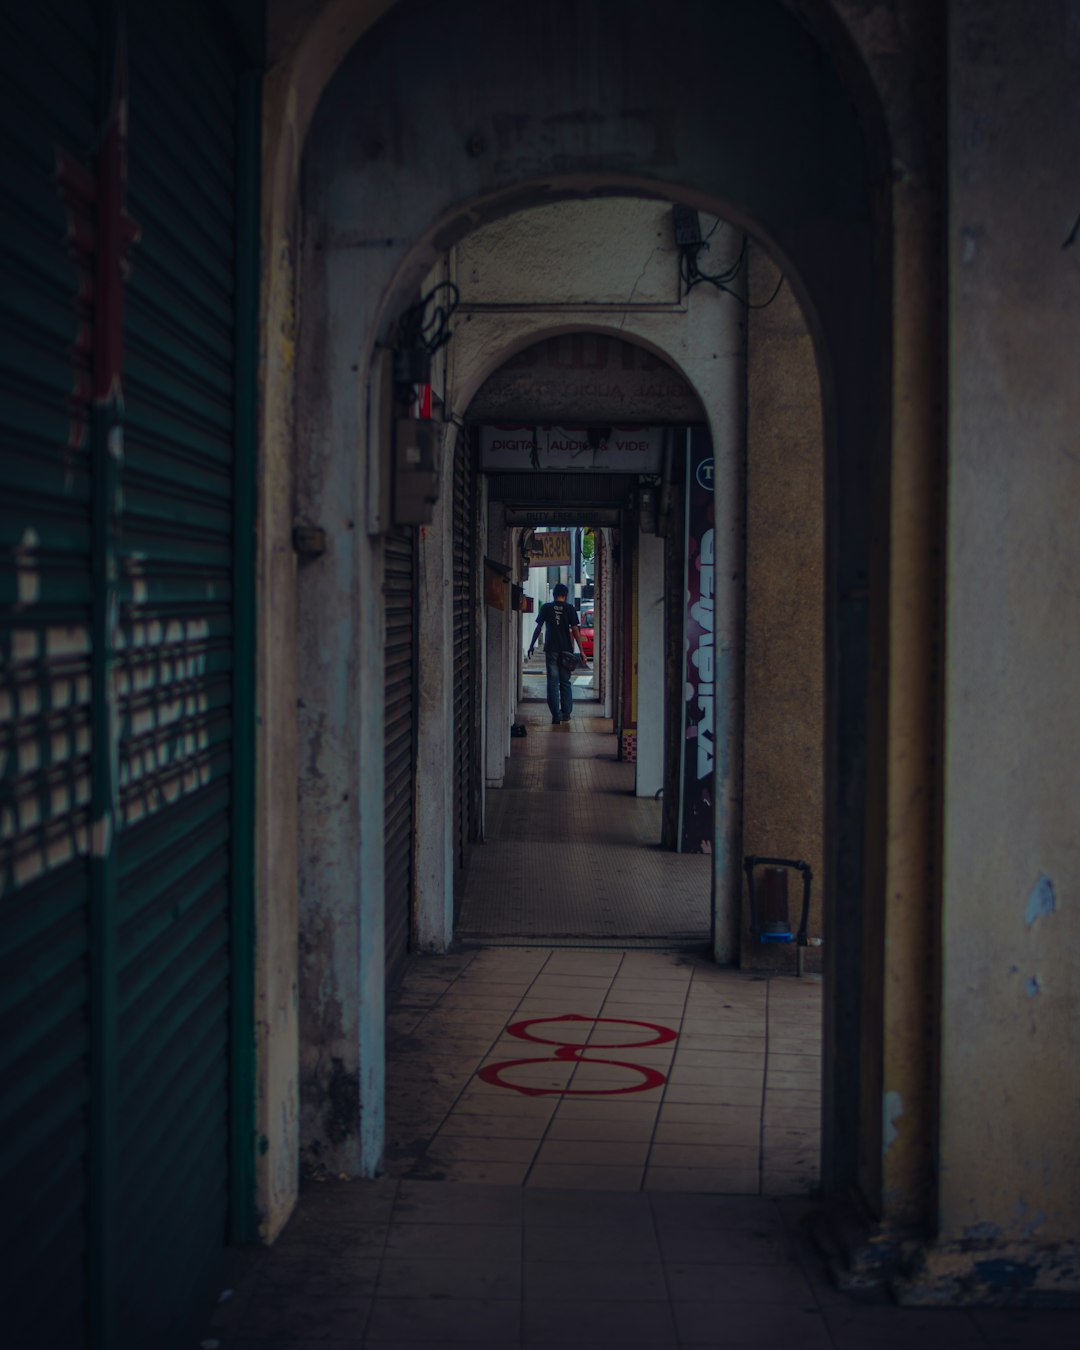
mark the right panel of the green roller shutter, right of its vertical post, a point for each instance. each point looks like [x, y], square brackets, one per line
[175, 666]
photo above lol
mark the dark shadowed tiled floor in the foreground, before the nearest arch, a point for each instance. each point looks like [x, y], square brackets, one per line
[414, 1266]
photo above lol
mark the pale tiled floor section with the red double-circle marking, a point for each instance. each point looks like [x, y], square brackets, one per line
[730, 1102]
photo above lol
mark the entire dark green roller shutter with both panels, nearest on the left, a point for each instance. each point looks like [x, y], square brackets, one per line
[125, 946]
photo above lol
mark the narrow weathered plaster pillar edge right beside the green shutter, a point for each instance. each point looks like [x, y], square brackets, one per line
[308, 38]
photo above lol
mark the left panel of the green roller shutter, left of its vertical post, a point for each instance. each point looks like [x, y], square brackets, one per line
[48, 102]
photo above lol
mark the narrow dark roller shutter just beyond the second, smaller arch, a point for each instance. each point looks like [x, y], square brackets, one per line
[465, 674]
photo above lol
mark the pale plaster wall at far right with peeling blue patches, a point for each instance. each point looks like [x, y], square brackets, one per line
[1010, 1083]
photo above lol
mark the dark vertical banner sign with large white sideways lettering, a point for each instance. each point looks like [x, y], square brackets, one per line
[696, 828]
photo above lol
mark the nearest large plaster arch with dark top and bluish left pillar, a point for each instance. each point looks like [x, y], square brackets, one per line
[391, 180]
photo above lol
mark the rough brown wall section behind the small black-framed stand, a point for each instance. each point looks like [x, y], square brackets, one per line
[784, 755]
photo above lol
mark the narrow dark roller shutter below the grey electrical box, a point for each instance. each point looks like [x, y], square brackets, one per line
[400, 745]
